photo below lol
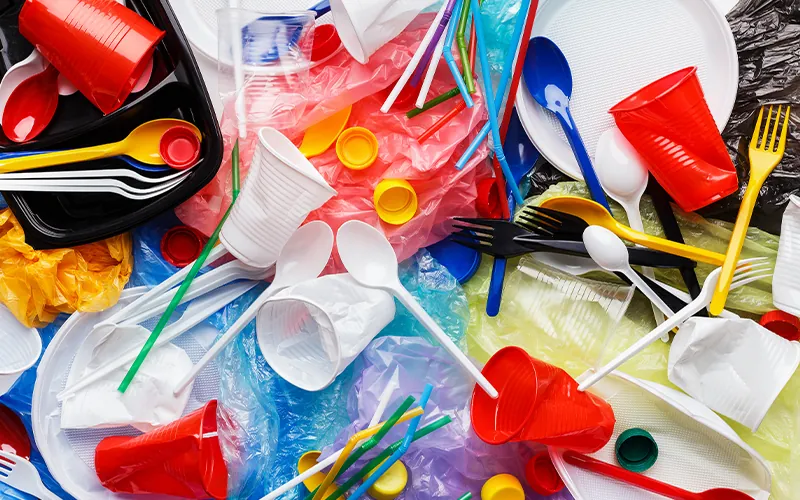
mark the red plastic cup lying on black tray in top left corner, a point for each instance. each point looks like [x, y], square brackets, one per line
[100, 46]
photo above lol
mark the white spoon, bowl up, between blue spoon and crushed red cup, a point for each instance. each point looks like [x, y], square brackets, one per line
[624, 176]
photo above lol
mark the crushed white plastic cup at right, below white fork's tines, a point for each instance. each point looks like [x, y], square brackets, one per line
[736, 367]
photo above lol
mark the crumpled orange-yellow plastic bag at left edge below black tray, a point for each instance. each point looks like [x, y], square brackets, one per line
[38, 285]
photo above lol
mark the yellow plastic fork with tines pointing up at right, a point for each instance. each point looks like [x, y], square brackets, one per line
[765, 155]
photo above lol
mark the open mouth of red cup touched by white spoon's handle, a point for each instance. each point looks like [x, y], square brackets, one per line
[499, 375]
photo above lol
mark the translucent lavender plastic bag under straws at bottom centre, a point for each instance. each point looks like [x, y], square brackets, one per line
[451, 460]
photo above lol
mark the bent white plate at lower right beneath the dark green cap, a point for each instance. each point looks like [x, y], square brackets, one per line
[697, 450]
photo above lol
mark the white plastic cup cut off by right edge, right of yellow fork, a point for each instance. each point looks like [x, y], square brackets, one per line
[786, 281]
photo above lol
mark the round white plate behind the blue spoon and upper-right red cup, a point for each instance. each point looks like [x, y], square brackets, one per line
[616, 47]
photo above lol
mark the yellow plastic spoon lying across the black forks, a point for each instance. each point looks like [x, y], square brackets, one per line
[595, 215]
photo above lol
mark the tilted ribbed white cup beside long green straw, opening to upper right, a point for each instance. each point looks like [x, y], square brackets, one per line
[281, 189]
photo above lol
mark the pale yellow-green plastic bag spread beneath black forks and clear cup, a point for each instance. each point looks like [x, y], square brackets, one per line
[778, 438]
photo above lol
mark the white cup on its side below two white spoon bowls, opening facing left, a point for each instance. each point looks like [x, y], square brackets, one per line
[311, 332]
